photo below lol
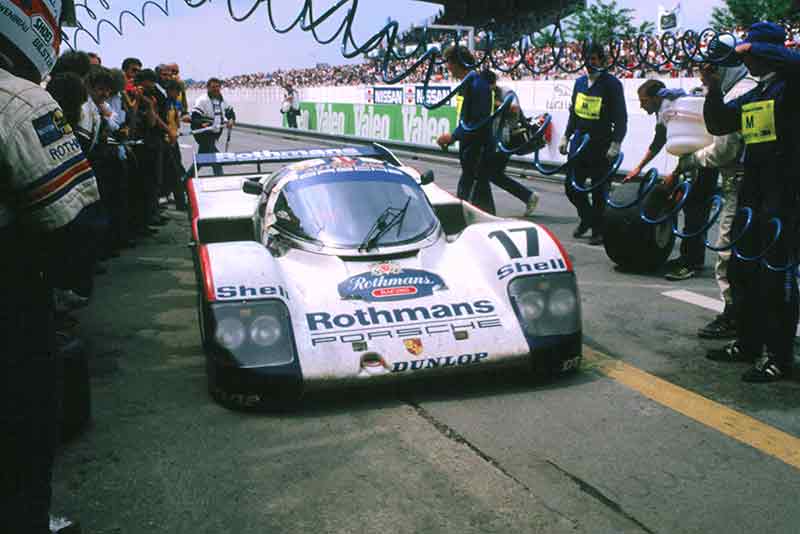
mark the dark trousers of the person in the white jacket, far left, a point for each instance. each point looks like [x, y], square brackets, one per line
[29, 400]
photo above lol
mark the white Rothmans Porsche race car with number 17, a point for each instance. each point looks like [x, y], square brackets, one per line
[345, 266]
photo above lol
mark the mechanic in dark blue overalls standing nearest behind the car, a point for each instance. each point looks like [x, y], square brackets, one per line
[474, 105]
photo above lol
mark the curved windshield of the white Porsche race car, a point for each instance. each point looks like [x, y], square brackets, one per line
[338, 209]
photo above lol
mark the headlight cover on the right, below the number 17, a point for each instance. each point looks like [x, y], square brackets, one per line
[547, 304]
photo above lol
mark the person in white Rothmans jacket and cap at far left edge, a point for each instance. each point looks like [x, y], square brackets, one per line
[46, 183]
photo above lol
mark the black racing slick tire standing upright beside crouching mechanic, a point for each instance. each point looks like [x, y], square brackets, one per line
[630, 242]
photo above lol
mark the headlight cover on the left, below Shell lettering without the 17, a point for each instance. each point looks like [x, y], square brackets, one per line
[254, 334]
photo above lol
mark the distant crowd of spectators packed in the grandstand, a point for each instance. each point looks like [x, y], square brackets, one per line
[540, 60]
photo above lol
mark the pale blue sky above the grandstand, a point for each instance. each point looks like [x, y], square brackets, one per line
[206, 42]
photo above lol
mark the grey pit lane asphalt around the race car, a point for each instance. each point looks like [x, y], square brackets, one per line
[588, 454]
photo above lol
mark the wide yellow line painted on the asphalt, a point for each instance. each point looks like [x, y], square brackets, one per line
[738, 426]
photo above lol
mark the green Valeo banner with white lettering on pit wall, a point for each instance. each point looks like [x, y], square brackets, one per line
[407, 123]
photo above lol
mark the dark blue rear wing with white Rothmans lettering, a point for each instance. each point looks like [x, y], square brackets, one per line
[259, 157]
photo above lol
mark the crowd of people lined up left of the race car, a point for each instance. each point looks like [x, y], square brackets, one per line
[127, 122]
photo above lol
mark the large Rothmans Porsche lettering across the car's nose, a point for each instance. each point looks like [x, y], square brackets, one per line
[372, 323]
